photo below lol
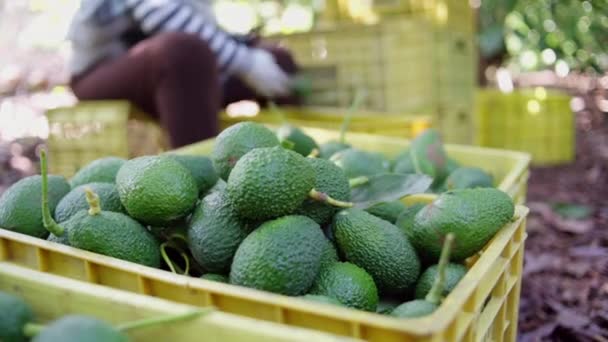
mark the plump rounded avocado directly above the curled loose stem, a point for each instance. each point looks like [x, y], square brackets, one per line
[156, 190]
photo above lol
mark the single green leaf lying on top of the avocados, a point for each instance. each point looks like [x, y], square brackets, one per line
[388, 187]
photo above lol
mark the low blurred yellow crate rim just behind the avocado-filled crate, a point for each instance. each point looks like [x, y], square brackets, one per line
[404, 126]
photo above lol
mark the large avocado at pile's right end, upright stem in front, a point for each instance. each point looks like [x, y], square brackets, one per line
[473, 215]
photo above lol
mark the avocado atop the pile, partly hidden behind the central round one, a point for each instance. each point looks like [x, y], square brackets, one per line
[235, 141]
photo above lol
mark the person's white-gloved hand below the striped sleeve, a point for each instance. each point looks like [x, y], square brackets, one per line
[265, 76]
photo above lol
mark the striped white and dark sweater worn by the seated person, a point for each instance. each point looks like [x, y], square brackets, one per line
[108, 28]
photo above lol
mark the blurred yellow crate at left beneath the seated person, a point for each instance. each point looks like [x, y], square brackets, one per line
[93, 129]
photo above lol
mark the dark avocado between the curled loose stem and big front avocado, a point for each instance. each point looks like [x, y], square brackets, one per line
[215, 232]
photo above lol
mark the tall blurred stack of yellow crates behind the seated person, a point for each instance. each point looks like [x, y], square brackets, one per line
[422, 61]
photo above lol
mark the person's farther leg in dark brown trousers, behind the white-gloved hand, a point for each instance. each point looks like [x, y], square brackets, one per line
[236, 90]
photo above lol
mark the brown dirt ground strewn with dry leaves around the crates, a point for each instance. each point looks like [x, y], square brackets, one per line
[565, 287]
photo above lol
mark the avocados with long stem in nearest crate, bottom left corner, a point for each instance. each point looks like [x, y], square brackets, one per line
[17, 324]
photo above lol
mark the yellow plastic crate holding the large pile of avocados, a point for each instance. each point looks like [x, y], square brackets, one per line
[484, 306]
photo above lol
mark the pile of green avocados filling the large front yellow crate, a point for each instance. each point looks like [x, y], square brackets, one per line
[273, 212]
